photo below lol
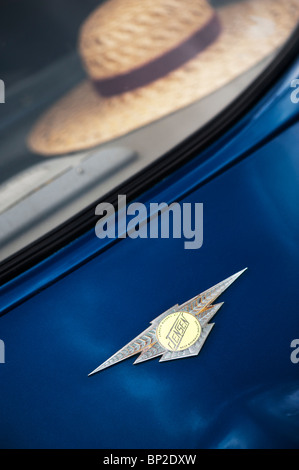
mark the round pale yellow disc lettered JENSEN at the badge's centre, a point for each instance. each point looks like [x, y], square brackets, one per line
[178, 331]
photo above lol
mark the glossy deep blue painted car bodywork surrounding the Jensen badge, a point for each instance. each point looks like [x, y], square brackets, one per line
[242, 390]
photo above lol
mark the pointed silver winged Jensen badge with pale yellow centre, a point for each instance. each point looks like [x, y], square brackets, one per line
[180, 331]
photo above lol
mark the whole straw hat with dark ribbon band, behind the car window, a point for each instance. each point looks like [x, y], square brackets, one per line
[146, 59]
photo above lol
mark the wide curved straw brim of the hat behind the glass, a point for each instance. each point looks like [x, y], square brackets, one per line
[251, 30]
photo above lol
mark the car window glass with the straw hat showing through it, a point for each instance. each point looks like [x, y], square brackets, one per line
[93, 92]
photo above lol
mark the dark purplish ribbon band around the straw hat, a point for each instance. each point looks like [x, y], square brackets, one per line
[168, 62]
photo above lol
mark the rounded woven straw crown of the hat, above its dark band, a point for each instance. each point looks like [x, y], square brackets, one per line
[124, 34]
